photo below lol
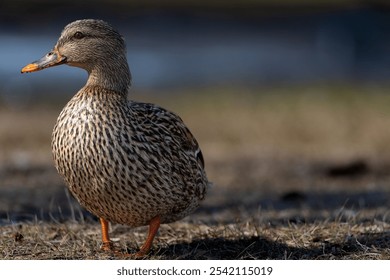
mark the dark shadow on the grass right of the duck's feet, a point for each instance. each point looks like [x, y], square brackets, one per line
[253, 248]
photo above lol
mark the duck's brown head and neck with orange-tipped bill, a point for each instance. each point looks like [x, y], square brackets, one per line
[93, 45]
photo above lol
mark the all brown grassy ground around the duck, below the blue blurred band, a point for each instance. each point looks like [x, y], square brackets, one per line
[298, 173]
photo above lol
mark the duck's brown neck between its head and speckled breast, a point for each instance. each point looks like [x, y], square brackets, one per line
[112, 75]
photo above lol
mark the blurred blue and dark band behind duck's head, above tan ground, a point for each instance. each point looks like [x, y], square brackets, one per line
[173, 44]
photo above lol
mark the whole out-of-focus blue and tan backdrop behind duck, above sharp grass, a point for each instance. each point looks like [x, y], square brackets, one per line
[289, 99]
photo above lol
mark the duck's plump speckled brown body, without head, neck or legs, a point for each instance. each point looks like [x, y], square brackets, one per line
[127, 161]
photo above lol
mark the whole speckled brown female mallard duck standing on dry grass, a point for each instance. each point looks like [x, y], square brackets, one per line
[126, 162]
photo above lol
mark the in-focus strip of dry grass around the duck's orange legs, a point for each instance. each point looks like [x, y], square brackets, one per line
[320, 240]
